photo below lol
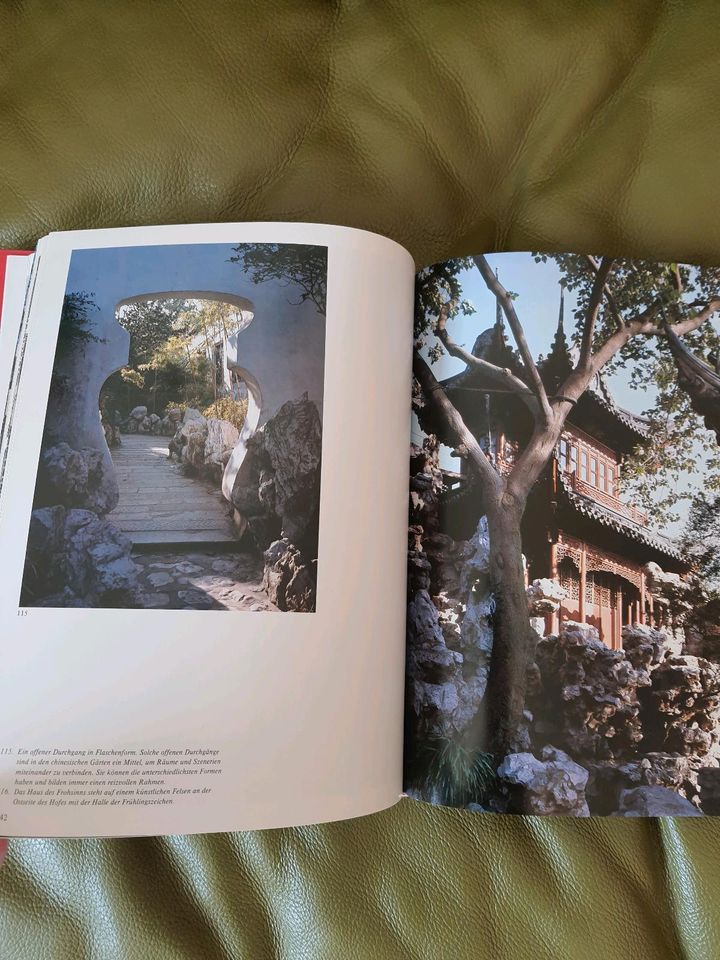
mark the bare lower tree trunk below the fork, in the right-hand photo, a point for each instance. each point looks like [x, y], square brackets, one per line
[513, 637]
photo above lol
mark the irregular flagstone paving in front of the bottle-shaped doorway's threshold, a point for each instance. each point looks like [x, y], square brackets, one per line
[201, 581]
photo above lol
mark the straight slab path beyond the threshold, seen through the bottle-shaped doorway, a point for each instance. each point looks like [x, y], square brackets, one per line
[159, 504]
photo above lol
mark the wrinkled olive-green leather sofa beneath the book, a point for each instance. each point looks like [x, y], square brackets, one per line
[452, 127]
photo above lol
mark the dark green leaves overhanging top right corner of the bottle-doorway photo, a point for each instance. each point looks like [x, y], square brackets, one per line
[302, 267]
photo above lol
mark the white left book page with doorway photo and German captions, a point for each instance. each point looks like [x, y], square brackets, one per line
[203, 527]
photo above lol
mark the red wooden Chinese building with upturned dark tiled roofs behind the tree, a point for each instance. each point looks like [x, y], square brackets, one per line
[577, 530]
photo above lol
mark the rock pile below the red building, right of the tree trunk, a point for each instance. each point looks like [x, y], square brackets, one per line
[643, 722]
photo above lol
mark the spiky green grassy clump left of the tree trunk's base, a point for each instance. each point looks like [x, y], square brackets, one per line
[458, 773]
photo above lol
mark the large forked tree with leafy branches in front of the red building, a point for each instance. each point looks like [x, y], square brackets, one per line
[623, 306]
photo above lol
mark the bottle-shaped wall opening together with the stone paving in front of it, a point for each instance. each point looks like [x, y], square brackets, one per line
[177, 419]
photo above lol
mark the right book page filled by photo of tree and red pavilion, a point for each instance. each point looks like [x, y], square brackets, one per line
[563, 577]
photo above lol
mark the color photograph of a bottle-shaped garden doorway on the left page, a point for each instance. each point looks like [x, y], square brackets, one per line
[181, 453]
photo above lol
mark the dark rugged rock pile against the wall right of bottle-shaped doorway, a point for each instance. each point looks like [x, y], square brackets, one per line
[276, 494]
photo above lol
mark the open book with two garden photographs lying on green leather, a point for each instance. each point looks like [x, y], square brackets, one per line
[217, 612]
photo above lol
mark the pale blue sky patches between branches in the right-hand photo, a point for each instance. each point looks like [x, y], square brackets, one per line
[537, 305]
